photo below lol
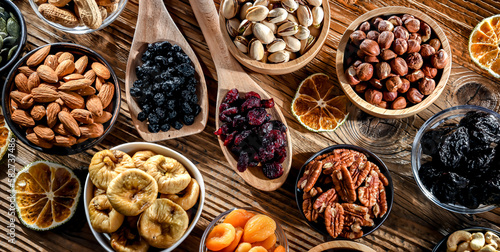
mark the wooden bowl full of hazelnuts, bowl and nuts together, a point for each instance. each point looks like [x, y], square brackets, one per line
[393, 62]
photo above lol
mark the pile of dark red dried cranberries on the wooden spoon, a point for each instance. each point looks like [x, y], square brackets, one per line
[249, 133]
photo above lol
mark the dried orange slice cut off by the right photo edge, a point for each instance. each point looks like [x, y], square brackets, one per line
[484, 45]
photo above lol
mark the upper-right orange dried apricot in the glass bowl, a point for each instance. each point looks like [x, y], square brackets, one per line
[258, 228]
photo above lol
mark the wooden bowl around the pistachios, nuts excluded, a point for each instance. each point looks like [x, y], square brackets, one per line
[280, 68]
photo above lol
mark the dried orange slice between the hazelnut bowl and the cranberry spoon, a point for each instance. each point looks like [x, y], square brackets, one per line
[319, 105]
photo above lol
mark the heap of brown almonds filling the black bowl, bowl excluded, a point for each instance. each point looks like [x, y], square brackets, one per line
[60, 101]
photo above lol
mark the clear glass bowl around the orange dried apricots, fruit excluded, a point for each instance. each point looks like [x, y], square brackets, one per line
[280, 234]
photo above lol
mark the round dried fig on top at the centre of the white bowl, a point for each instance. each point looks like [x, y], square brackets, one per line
[132, 191]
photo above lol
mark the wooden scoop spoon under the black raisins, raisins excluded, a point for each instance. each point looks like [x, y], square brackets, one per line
[154, 24]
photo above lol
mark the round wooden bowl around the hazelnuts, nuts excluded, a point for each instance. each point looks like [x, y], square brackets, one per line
[359, 101]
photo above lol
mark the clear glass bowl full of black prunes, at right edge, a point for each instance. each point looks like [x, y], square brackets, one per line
[455, 159]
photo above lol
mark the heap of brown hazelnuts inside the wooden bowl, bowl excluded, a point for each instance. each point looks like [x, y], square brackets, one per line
[398, 61]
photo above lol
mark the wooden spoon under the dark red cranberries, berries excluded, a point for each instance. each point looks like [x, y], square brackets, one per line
[230, 75]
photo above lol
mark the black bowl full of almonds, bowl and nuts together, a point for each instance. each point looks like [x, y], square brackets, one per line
[61, 99]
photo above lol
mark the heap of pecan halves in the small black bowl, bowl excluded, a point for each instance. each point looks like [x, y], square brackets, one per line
[346, 190]
